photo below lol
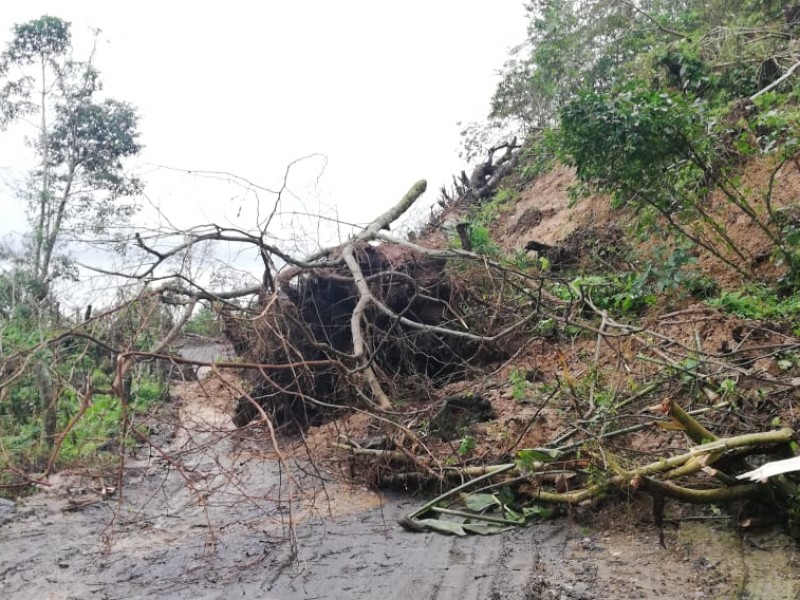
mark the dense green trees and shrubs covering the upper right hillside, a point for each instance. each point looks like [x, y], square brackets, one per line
[664, 106]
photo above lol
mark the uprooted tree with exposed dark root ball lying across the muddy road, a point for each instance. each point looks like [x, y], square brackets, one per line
[369, 322]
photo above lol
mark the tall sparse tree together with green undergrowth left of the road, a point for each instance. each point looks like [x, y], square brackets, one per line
[56, 393]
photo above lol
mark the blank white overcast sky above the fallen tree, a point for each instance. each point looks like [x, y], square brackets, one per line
[246, 87]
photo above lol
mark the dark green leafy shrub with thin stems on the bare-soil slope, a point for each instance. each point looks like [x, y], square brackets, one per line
[667, 151]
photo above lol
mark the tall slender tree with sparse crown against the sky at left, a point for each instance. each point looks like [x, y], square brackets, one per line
[79, 184]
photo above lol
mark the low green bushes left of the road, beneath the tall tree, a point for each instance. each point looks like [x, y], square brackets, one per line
[88, 424]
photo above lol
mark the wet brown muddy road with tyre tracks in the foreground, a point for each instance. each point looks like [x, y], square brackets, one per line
[211, 521]
